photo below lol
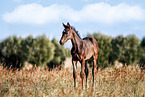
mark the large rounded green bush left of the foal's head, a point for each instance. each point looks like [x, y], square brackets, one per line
[42, 51]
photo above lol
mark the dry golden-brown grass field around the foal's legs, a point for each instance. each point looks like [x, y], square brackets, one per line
[39, 82]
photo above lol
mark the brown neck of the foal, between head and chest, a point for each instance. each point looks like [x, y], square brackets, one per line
[76, 41]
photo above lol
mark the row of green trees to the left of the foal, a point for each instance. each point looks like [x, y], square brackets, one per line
[38, 51]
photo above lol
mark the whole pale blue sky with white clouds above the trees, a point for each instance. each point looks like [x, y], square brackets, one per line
[37, 17]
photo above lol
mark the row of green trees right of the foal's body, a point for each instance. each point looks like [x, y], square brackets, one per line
[128, 50]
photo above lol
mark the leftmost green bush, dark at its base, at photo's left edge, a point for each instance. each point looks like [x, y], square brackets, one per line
[11, 53]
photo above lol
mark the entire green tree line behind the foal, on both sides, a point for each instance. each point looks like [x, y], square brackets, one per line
[40, 51]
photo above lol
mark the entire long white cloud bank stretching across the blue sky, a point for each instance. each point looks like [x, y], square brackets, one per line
[99, 13]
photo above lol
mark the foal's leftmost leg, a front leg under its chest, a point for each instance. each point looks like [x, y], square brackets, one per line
[74, 63]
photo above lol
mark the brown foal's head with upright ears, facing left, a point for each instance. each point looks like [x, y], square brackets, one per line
[66, 34]
